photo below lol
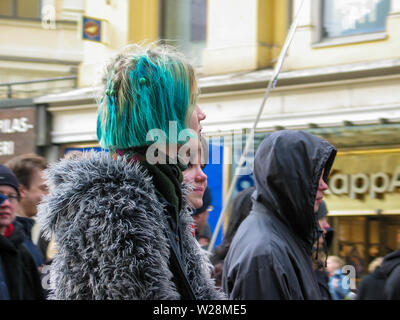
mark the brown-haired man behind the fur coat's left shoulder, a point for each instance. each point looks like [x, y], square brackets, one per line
[28, 169]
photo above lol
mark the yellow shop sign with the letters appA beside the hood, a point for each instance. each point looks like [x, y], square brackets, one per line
[365, 182]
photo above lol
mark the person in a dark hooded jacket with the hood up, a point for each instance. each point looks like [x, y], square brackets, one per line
[270, 255]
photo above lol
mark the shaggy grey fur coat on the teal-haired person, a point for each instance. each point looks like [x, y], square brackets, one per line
[109, 229]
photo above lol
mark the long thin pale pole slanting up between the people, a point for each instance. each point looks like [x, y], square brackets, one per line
[271, 85]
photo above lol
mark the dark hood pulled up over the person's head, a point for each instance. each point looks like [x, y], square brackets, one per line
[287, 168]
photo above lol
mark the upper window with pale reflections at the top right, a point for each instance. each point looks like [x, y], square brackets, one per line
[349, 17]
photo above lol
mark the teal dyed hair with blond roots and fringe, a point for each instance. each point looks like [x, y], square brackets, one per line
[145, 89]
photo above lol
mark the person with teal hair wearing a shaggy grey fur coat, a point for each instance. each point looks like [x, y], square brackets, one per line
[121, 219]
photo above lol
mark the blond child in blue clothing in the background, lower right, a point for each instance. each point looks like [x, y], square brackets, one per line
[339, 284]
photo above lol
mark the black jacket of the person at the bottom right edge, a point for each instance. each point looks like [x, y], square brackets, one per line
[391, 268]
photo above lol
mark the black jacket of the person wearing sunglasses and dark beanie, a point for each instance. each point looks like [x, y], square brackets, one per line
[19, 269]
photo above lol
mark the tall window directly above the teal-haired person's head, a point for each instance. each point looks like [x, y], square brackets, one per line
[184, 26]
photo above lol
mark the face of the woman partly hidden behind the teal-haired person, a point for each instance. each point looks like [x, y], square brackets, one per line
[195, 176]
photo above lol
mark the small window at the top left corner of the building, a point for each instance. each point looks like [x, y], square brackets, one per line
[20, 8]
